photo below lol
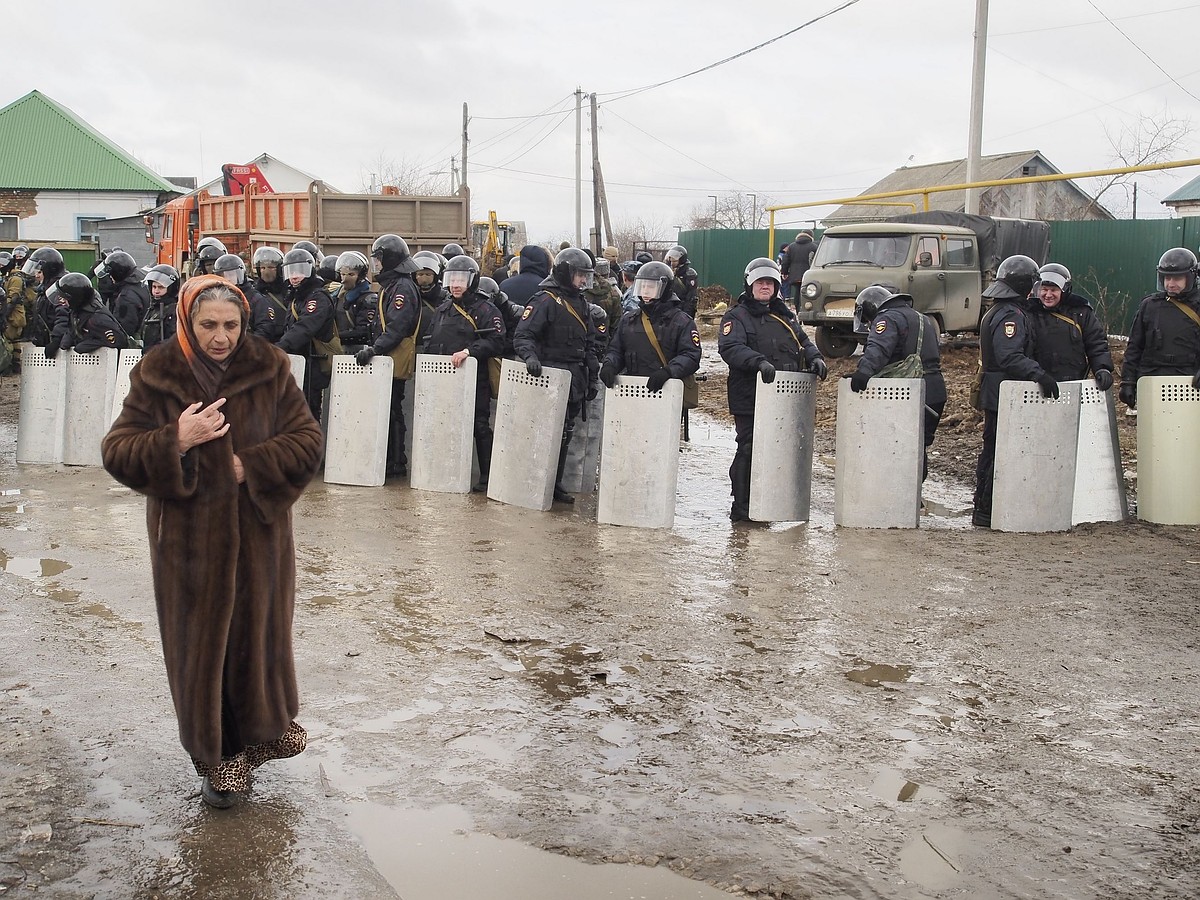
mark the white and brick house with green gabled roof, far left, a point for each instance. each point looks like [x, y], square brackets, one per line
[59, 177]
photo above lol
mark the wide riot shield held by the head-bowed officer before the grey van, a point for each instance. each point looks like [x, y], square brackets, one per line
[881, 435]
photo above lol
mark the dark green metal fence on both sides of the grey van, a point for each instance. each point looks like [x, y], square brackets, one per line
[1112, 262]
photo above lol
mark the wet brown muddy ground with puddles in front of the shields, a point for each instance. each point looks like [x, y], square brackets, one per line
[505, 704]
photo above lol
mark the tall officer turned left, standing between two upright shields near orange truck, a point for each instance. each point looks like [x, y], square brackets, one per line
[398, 320]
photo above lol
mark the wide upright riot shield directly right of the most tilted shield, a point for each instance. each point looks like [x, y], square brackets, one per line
[640, 460]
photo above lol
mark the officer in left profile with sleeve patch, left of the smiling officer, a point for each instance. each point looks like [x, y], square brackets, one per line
[1006, 352]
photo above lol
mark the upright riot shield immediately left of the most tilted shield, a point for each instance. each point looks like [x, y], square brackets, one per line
[443, 424]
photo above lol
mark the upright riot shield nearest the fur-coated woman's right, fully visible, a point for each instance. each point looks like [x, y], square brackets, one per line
[357, 441]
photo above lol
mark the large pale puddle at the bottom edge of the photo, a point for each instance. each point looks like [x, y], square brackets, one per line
[431, 855]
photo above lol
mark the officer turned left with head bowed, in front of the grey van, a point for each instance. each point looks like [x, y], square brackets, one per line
[895, 332]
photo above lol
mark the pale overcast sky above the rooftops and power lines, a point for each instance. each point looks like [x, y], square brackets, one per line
[335, 89]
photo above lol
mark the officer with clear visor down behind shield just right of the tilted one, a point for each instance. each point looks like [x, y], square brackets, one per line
[659, 341]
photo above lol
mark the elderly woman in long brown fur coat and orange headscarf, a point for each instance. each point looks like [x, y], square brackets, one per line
[219, 437]
